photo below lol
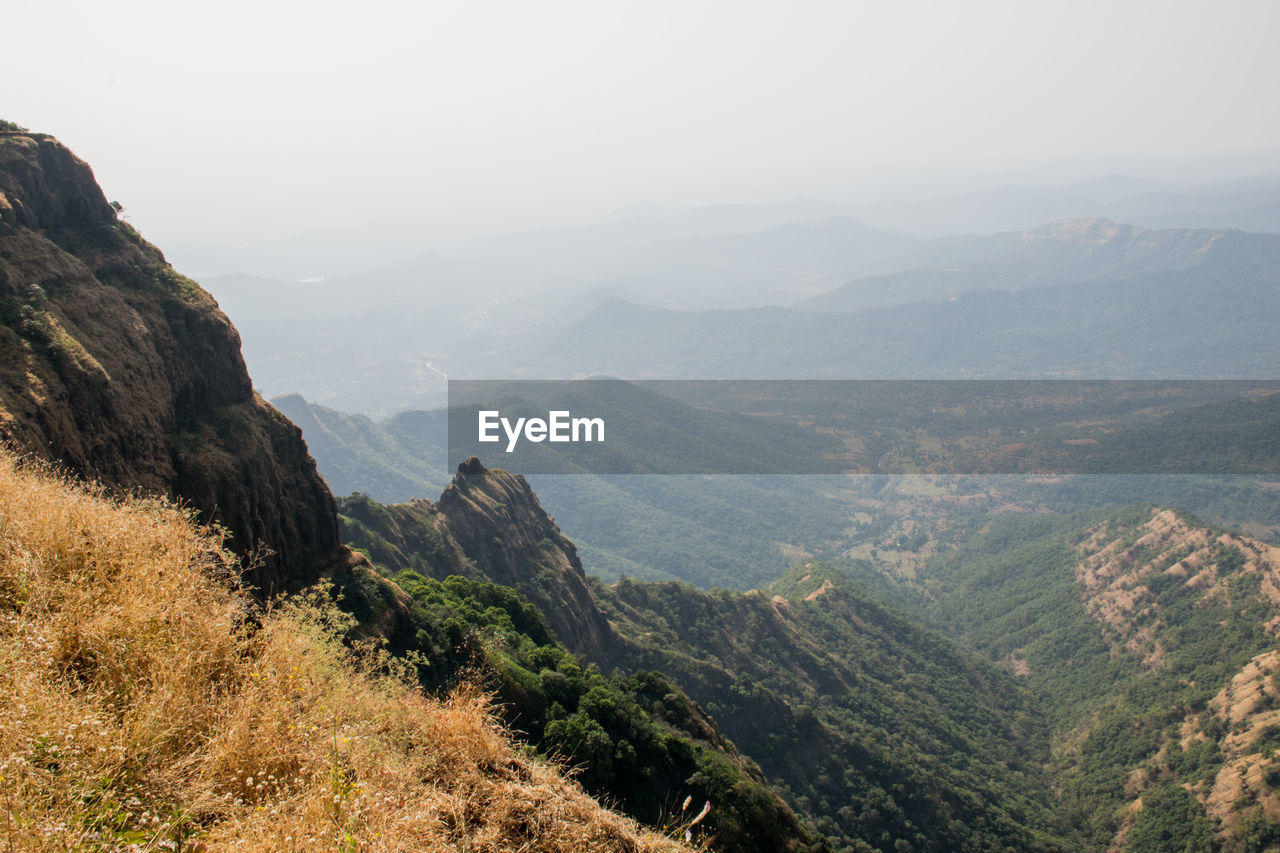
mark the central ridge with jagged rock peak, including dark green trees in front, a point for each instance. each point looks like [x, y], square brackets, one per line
[875, 729]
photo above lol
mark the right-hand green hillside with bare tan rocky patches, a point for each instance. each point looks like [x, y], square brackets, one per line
[1153, 638]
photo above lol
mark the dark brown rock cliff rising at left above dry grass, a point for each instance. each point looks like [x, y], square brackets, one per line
[127, 373]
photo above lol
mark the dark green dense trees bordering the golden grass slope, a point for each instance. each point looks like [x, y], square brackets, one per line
[636, 741]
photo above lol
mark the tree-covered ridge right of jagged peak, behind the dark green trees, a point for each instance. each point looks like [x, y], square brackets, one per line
[885, 732]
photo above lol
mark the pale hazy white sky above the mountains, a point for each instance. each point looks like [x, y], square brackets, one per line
[253, 120]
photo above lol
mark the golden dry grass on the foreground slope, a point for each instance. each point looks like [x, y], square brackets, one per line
[145, 706]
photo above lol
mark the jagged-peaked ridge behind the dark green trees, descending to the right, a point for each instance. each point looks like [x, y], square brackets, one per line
[808, 685]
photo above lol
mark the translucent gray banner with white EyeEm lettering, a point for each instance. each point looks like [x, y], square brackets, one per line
[867, 427]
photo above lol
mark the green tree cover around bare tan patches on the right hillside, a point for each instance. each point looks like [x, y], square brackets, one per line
[1012, 592]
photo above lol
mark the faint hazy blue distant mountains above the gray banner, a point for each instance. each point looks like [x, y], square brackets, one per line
[1089, 298]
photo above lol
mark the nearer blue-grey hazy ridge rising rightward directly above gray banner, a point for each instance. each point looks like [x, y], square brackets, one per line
[1209, 320]
